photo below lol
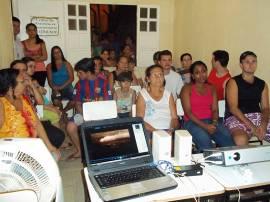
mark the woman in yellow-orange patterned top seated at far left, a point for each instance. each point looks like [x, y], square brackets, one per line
[17, 116]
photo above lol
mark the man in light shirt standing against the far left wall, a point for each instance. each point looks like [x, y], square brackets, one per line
[18, 48]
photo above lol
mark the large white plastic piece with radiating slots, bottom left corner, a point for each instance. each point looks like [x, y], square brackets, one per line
[26, 163]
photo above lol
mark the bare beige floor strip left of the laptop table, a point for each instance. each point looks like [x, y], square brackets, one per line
[71, 177]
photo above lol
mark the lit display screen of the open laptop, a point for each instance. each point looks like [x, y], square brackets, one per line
[110, 142]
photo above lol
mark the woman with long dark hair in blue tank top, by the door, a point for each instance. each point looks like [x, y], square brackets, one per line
[60, 77]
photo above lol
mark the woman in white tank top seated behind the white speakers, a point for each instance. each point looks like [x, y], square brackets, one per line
[155, 104]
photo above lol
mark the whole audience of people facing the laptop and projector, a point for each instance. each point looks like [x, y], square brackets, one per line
[245, 95]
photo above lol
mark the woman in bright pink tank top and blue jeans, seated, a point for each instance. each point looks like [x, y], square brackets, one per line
[199, 100]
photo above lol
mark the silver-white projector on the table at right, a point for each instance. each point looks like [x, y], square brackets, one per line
[229, 156]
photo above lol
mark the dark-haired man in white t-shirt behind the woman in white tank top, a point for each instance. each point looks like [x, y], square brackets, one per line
[173, 80]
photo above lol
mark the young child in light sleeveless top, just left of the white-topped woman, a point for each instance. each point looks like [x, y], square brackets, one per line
[124, 96]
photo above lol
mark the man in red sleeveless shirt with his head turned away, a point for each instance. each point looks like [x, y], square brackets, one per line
[219, 74]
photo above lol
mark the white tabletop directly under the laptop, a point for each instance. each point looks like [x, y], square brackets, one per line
[188, 187]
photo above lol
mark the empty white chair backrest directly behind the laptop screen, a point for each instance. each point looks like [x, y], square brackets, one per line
[99, 110]
